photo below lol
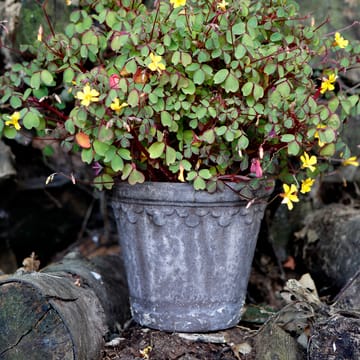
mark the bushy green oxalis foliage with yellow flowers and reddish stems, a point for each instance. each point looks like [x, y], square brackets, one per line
[204, 92]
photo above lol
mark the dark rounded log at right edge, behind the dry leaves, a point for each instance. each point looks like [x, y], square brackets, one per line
[327, 245]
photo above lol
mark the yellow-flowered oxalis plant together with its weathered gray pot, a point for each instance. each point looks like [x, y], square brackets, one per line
[209, 100]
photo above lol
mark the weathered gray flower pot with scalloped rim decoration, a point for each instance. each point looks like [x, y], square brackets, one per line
[187, 254]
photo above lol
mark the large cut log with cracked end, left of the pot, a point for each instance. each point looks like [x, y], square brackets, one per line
[63, 311]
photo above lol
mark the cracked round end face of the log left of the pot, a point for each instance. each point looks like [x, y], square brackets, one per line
[30, 328]
